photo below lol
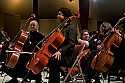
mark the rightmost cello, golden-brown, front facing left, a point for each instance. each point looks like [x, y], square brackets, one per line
[103, 60]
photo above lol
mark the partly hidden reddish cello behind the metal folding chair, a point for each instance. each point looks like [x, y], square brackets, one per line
[81, 52]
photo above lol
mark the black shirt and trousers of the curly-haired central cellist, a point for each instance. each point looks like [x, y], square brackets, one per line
[68, 54]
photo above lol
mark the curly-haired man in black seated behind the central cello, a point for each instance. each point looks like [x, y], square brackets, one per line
[65, 55]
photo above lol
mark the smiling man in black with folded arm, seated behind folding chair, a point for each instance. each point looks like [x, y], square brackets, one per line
[90, 43]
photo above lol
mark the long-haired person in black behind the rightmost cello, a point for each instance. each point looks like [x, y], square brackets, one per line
[89, 73]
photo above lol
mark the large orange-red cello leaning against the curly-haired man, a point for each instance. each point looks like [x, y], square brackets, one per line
[51, 43]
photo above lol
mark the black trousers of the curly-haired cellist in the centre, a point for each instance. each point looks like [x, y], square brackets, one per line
[55, 66]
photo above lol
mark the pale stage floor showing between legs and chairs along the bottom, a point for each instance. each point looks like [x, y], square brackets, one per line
[4, 78]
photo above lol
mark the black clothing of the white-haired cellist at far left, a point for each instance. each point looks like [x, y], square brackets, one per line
[20, 68]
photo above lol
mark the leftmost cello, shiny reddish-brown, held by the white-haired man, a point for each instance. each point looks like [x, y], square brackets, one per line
[12, 58]
